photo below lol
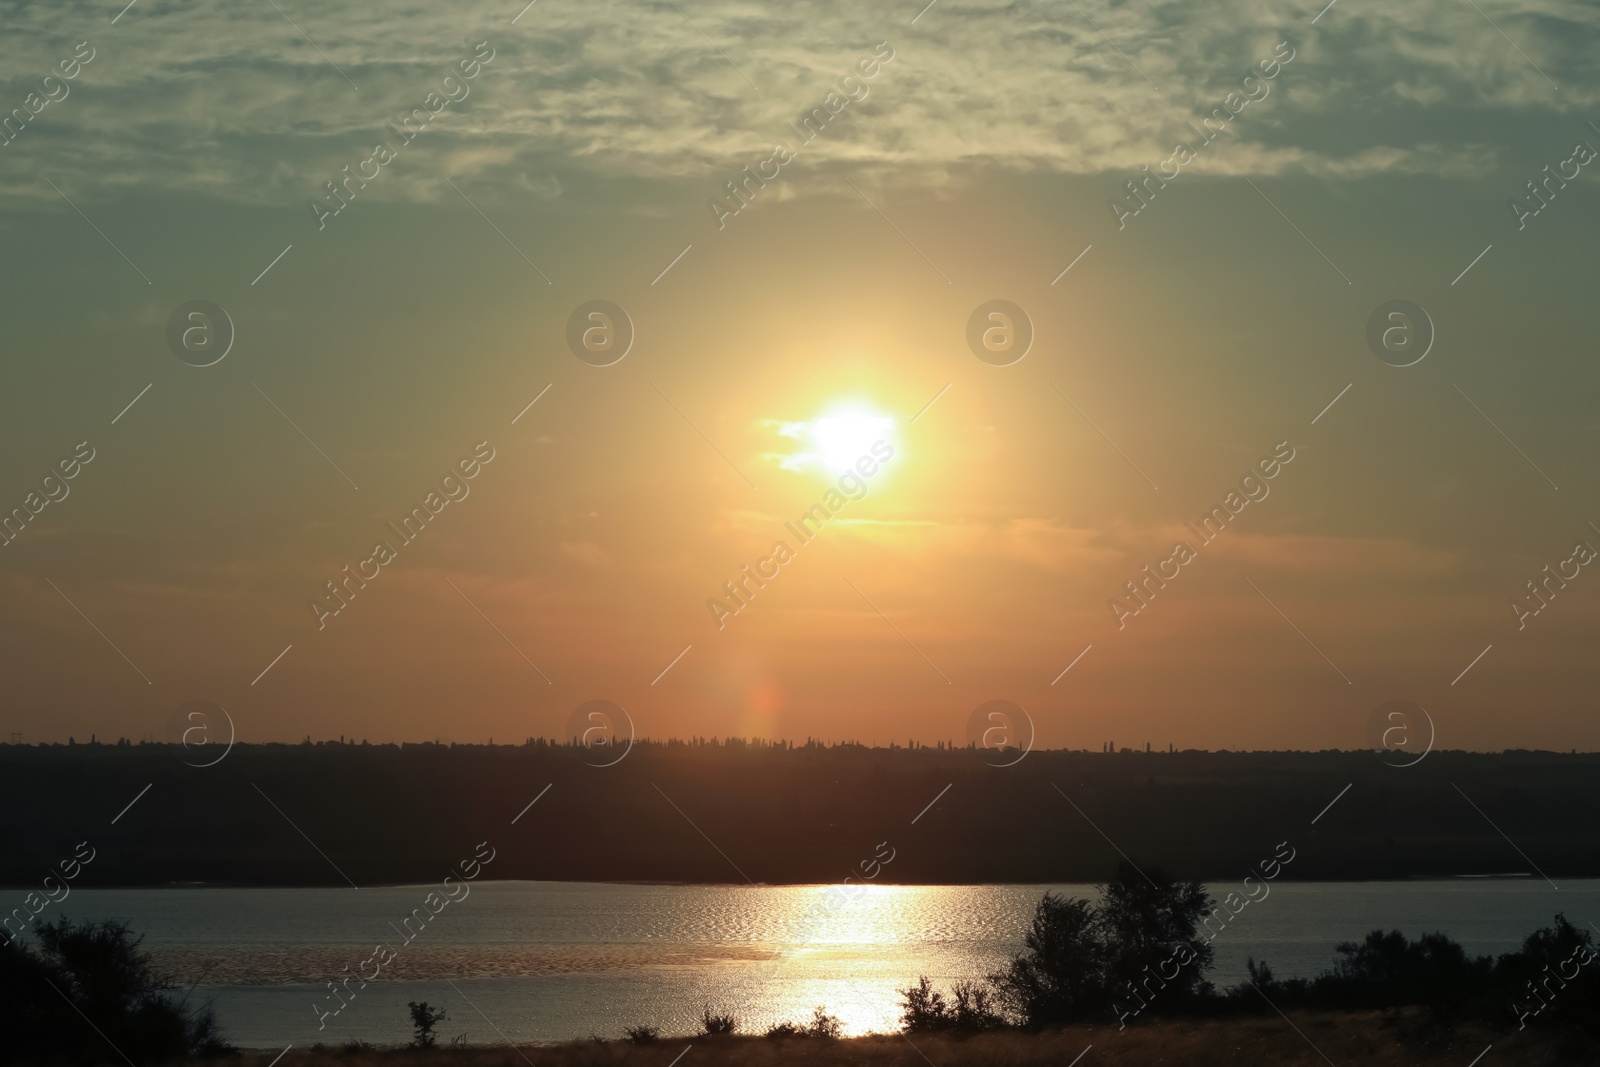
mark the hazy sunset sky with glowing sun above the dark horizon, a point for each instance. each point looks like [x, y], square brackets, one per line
[1204, 303]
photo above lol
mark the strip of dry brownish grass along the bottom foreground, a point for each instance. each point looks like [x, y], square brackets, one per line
[1367, 1041]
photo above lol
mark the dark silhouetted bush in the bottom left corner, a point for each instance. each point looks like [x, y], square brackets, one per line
[89, 996]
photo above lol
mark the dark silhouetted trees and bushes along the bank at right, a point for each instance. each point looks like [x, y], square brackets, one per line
[1137, 954]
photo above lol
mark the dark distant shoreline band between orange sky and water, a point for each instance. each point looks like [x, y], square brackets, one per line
[329, 815]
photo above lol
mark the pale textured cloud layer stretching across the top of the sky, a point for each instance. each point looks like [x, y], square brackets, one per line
[239, 105]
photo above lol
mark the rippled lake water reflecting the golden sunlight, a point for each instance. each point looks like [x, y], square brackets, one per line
[546, 962]
